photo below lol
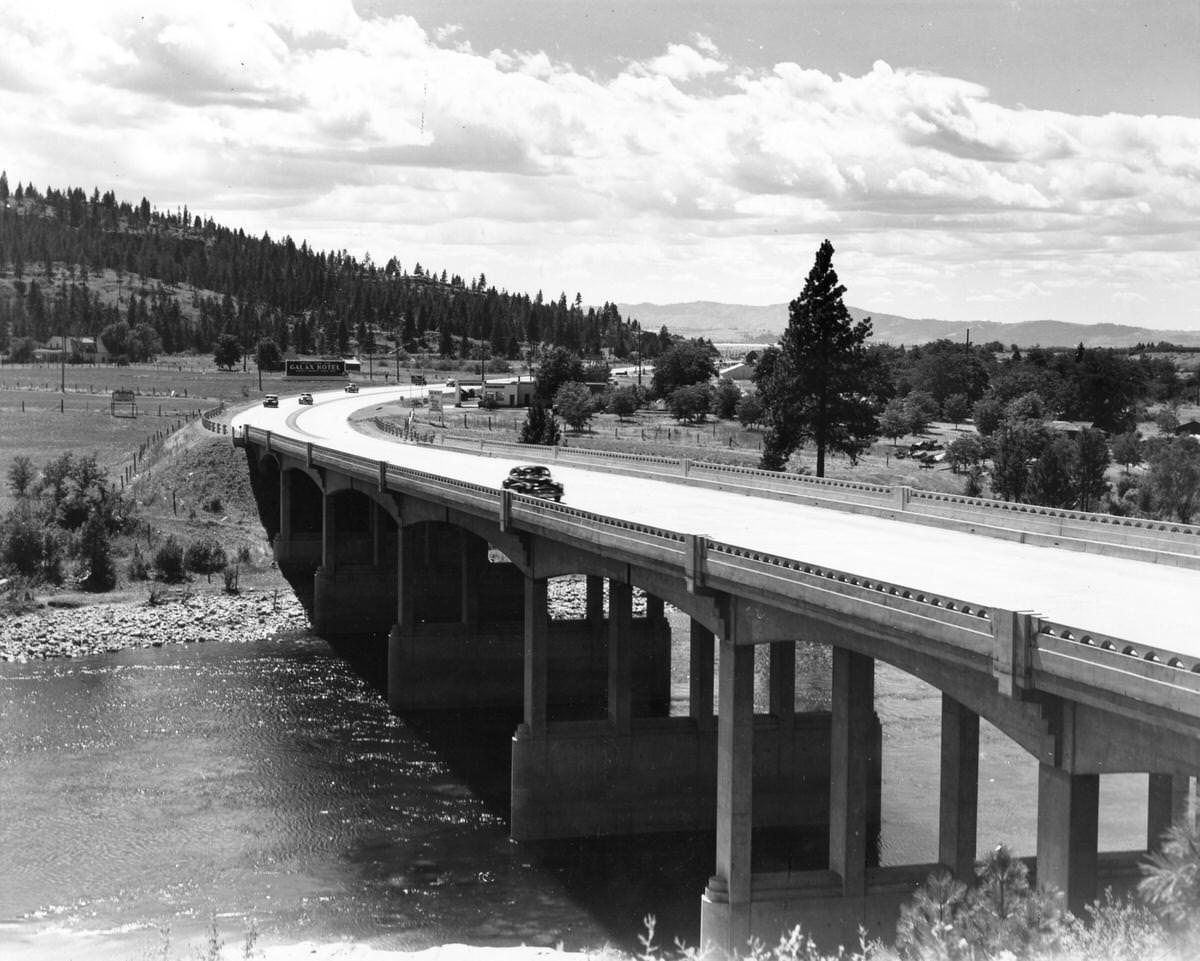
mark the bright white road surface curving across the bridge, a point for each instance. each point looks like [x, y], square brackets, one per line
[1132, 600]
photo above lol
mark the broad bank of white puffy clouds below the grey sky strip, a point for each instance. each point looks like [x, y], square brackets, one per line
[716, 179]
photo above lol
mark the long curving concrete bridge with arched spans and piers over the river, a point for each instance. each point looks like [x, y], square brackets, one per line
[1073, 634]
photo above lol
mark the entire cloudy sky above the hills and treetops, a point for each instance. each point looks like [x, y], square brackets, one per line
[993, 160]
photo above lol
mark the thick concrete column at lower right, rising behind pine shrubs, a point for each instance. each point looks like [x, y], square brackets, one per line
[1069, 833]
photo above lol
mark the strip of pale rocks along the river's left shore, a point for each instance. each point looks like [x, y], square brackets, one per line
[97, 629]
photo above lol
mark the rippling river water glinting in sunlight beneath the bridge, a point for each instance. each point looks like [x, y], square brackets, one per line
[266, 785]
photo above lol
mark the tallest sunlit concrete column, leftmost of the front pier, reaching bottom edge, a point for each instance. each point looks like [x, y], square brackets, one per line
[735, 784]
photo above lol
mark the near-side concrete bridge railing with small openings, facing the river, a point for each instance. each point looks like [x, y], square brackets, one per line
[1115, 668]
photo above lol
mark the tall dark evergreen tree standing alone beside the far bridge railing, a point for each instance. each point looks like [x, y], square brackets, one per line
[815, 385]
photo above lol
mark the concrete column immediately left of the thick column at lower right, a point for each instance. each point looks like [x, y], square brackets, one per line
[959, 808]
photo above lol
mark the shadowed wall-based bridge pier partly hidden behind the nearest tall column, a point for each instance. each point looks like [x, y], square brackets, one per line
[637, 770]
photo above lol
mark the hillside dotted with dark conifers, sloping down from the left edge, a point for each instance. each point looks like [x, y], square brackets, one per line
[76, 265]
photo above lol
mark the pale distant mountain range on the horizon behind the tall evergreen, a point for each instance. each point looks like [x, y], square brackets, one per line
[737, 323]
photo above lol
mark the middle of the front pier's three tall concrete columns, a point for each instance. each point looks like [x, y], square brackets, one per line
[850, 766]
